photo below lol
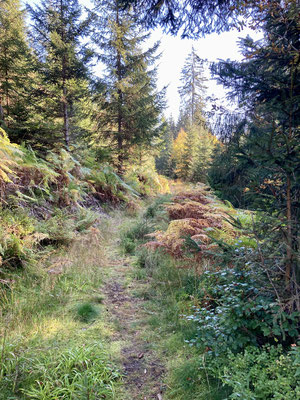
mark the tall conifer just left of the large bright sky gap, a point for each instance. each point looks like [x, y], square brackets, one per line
[130, 114]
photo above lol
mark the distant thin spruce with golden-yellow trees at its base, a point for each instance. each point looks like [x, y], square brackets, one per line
[187, 145]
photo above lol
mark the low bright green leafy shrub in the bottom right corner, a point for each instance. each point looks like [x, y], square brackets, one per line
[264, 374]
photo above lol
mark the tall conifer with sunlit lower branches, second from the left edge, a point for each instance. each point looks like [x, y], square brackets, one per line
[58, 33]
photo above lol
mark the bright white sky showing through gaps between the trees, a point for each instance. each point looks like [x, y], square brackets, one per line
[174, 52]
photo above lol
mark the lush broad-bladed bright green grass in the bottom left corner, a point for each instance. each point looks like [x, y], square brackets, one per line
[58, 369]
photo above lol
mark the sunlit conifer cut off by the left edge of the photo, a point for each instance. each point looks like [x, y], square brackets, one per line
[15, 68]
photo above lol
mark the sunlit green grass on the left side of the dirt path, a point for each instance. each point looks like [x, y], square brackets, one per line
[47, 349]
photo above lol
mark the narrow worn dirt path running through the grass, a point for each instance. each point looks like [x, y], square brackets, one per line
[143, 371]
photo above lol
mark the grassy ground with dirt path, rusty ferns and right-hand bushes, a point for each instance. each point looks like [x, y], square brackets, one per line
[150, 302]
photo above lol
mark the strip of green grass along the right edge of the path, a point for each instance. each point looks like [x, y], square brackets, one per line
[170, 293]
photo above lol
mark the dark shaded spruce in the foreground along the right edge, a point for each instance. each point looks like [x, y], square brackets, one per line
[267, 85]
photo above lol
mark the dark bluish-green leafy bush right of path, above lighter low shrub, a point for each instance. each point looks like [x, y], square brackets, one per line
[235, 313]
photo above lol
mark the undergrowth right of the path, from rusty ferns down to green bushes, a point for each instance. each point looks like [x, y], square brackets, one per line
[213, 315]
